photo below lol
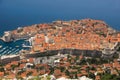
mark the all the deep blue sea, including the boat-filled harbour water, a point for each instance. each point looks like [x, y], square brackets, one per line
[20, 13]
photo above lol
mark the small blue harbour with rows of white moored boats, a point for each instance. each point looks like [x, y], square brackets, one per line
[13, 47]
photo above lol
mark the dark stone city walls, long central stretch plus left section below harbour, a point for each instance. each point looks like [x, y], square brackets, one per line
[77, 52]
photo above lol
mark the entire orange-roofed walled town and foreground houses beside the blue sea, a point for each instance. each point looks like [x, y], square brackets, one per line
[64, 49]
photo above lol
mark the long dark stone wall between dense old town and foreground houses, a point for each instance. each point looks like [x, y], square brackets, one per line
[90, 53]
